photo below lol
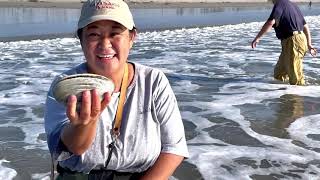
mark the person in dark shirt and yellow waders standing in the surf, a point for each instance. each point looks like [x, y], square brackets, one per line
[293, 31]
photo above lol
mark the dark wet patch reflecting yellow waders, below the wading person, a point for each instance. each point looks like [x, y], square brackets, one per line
[277, 115]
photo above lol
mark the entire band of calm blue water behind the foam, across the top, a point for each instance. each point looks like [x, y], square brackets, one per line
[22, 22]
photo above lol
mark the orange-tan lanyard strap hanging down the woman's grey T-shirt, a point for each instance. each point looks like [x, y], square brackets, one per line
[117, 123]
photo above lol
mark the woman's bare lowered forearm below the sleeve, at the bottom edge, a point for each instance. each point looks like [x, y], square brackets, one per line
[163, 168]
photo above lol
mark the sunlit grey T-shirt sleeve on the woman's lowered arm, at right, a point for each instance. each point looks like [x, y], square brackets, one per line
[168, 114]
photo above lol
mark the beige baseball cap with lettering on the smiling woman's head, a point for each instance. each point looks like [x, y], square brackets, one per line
[114, 10]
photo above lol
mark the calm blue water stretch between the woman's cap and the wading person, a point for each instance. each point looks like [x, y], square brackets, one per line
[171, 18]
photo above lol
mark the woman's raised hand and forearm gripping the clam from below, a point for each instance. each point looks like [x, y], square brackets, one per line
[80, 133]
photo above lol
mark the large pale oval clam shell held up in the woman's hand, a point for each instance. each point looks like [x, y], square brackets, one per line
[76, 84]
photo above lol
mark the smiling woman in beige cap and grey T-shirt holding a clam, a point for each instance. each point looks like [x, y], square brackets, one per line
[151, 143]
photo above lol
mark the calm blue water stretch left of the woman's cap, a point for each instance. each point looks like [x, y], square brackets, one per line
[17, 22]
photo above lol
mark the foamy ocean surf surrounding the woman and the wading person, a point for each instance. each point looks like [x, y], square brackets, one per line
[240, 123]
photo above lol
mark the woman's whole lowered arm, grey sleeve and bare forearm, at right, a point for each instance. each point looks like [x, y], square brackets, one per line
[173, 142]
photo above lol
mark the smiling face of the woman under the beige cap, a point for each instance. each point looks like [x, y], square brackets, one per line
[106, 45]
